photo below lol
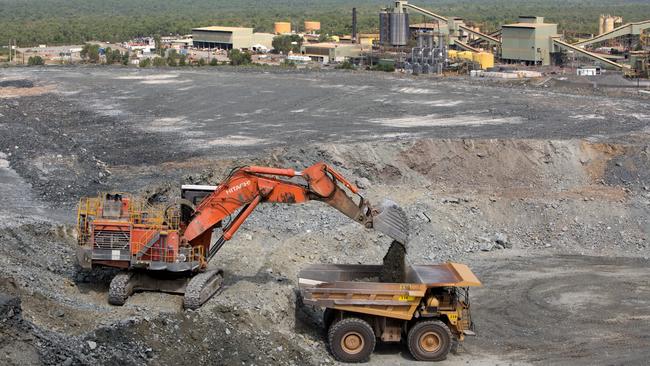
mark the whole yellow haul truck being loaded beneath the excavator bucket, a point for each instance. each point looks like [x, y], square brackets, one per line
[430, 310]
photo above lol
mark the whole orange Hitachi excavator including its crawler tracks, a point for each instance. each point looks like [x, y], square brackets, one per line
[168, 248]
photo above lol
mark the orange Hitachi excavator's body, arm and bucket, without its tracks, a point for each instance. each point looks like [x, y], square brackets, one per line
[118, 231]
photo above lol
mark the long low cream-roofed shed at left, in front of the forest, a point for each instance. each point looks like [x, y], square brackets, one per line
[227, 38]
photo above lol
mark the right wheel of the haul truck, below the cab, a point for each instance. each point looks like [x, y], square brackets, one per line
[429, 340]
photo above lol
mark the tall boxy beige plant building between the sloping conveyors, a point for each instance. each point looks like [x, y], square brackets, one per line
[530, 40]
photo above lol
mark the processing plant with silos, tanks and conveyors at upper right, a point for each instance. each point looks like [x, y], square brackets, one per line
[530, 41]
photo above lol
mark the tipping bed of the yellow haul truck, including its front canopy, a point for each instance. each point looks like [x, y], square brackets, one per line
[357, 288]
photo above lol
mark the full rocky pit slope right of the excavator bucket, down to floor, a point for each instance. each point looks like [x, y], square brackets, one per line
[577, 196]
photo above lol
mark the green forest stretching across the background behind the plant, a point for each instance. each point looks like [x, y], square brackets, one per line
[52, 22]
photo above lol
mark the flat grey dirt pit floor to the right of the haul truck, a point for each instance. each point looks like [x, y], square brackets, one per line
[565, 309]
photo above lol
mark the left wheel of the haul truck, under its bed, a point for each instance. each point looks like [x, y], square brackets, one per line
[351, 340]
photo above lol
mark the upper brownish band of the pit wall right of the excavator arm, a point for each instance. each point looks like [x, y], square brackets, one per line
[492, 165]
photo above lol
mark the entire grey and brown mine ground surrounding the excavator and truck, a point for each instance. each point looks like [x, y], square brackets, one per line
[543, 192]
